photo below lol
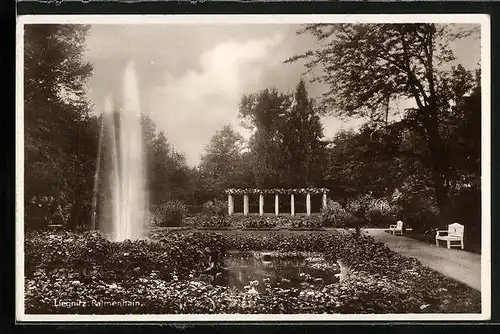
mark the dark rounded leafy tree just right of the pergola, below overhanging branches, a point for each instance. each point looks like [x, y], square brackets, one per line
[374, 161]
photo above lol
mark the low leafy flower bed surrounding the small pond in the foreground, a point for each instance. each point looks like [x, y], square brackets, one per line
[159, 276]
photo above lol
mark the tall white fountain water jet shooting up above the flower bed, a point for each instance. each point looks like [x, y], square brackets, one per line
[127, 200]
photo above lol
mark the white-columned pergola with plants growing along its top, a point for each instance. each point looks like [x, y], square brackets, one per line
[276, 192]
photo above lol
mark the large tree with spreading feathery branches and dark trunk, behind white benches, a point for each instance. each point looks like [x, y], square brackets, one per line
[367, 65]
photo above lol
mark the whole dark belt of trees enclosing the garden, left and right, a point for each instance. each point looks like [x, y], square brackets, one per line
[426, 161]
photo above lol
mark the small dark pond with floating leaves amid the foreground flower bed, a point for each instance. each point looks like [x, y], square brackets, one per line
[243, 270]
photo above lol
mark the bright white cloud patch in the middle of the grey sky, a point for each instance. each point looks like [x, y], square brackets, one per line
[192, 107]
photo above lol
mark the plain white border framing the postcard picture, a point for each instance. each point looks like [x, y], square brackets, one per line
[481, 19]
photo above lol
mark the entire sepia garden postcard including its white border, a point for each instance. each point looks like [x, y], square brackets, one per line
[253, 168]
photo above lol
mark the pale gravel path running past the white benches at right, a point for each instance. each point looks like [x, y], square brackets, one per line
[455, 263]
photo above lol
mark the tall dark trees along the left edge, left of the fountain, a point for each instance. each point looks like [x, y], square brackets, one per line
[60, 138]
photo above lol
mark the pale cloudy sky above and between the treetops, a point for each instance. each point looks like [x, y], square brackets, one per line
[191, 77]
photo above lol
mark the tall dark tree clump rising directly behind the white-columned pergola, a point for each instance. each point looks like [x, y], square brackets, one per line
[286, 143]
